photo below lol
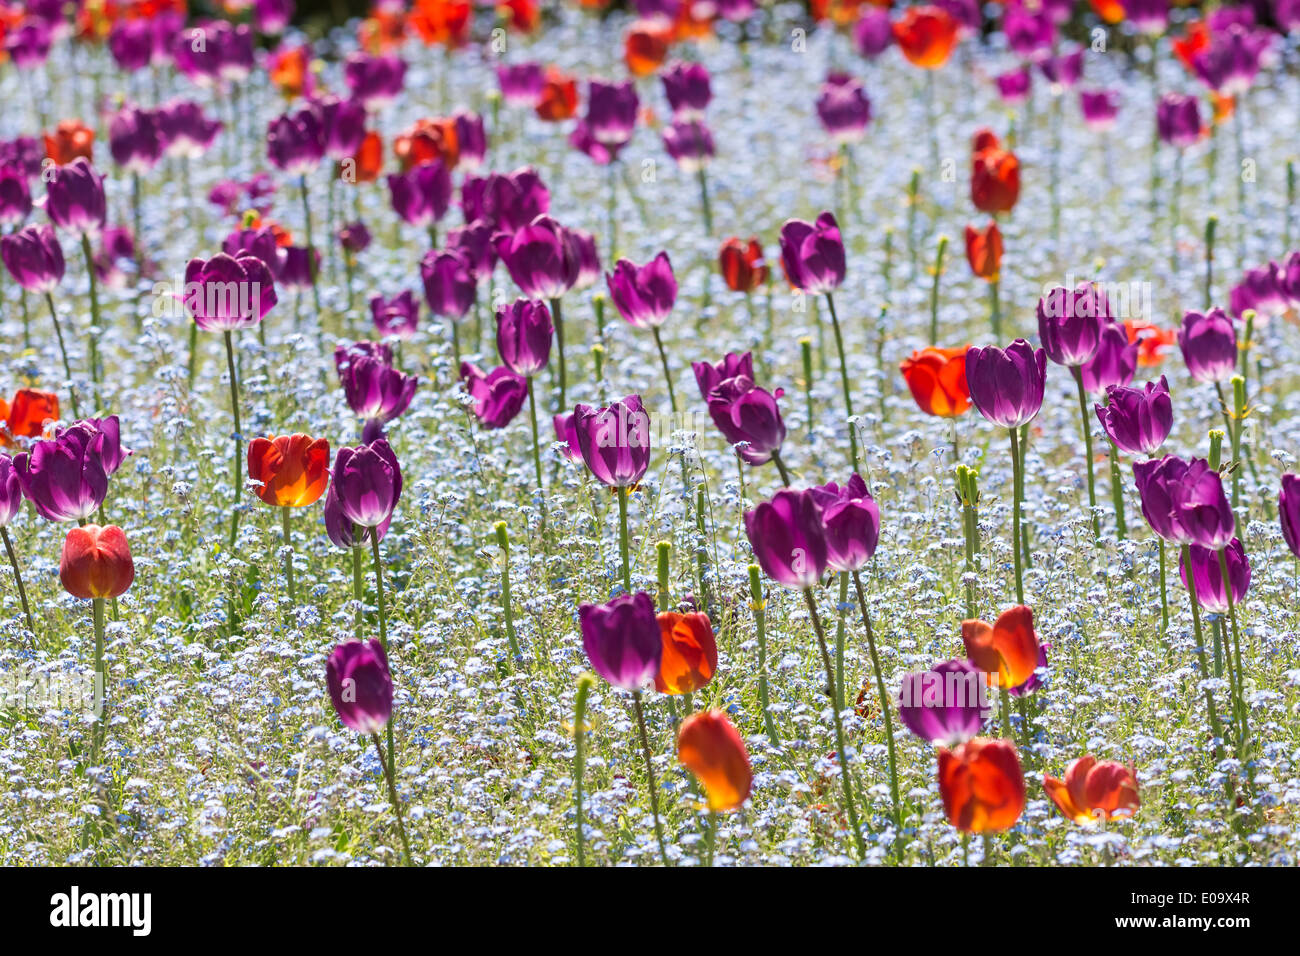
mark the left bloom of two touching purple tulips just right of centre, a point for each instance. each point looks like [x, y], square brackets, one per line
[788, 538]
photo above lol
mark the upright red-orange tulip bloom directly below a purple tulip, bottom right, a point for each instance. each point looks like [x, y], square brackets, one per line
[982, 785]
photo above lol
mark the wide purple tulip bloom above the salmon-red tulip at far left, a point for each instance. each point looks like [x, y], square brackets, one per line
[66, 478]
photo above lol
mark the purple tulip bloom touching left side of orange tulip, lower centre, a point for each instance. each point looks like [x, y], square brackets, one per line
[622, 641]
